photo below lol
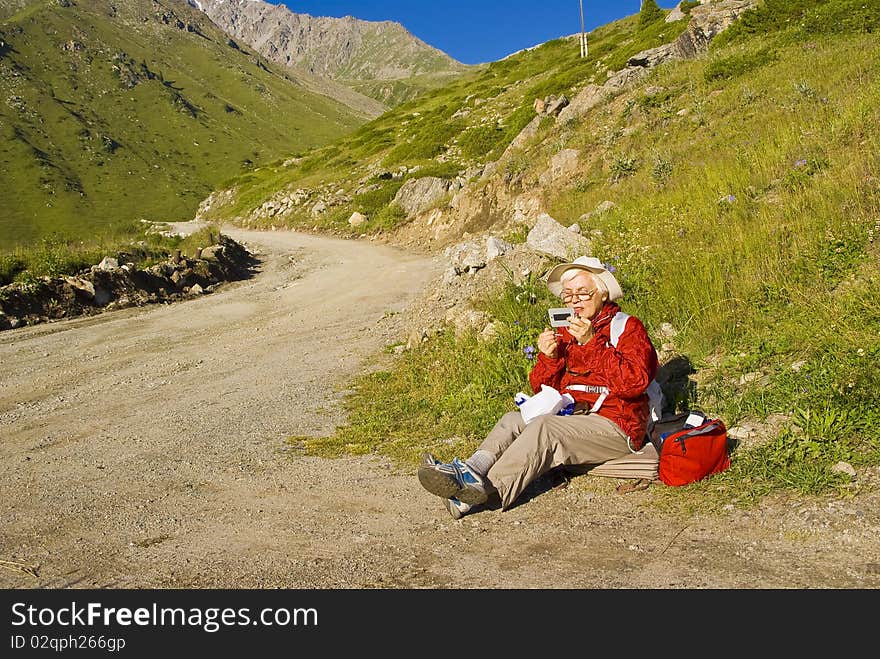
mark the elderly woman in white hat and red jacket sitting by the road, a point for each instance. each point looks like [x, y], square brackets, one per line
[604, 359]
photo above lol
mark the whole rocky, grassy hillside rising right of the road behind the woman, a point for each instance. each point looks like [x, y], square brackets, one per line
[730, 177]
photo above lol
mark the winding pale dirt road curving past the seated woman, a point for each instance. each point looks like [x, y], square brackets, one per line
[146, 448]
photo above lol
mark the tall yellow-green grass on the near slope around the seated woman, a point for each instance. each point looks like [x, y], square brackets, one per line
[749, 222]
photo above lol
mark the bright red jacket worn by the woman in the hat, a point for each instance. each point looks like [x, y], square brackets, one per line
[626, 371]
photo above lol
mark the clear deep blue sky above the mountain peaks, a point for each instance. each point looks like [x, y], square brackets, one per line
[475, 31]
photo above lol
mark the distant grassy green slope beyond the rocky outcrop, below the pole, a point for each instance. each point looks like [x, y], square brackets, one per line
[444, 132]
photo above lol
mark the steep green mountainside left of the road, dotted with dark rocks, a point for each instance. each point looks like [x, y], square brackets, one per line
[115, 112]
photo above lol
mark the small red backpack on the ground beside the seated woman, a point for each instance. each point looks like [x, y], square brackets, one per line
[692, 451]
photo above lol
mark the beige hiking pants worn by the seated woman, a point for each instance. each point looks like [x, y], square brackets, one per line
[525, 452]
